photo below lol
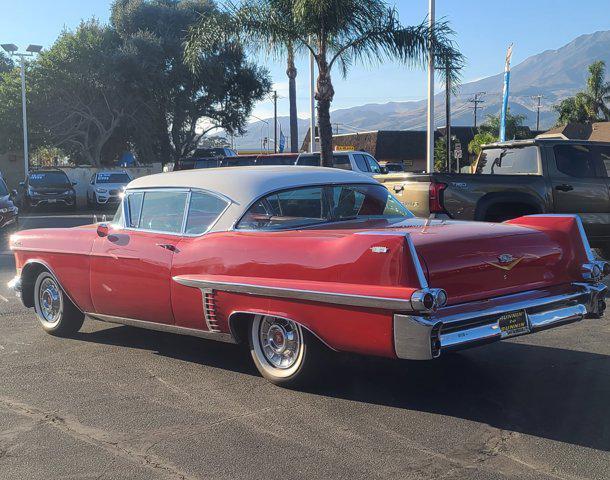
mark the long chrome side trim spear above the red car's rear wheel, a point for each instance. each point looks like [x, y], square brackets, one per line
[296, 294]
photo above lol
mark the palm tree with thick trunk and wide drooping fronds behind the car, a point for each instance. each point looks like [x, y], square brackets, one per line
[336, 32]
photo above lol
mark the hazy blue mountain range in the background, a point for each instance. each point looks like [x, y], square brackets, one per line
[554, 74]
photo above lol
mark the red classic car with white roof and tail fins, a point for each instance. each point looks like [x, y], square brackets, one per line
[294, 260]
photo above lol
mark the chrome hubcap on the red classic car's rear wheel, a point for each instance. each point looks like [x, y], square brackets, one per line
[280, 341]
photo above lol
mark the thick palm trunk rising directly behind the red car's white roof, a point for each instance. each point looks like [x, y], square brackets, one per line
[324, 97]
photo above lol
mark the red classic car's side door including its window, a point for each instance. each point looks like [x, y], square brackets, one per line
[131, 266]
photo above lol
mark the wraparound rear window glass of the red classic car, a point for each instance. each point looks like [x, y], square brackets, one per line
[301, 207]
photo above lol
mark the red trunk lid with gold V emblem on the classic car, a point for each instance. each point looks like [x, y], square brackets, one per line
[473, 260]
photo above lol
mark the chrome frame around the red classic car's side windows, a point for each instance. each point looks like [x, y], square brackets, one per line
[189, 191]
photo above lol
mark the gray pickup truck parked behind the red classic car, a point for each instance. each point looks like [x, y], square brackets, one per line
[517, 178]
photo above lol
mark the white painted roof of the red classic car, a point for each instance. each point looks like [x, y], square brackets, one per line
[243, 185]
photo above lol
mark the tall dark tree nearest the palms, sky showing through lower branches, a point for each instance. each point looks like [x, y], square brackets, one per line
[185, 103]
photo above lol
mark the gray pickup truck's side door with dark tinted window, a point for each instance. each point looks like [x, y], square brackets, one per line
[578, 186]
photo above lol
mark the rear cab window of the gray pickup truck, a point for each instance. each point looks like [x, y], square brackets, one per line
[509, 161]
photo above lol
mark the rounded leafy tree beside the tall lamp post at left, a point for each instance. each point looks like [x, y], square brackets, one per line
[81, 94]
